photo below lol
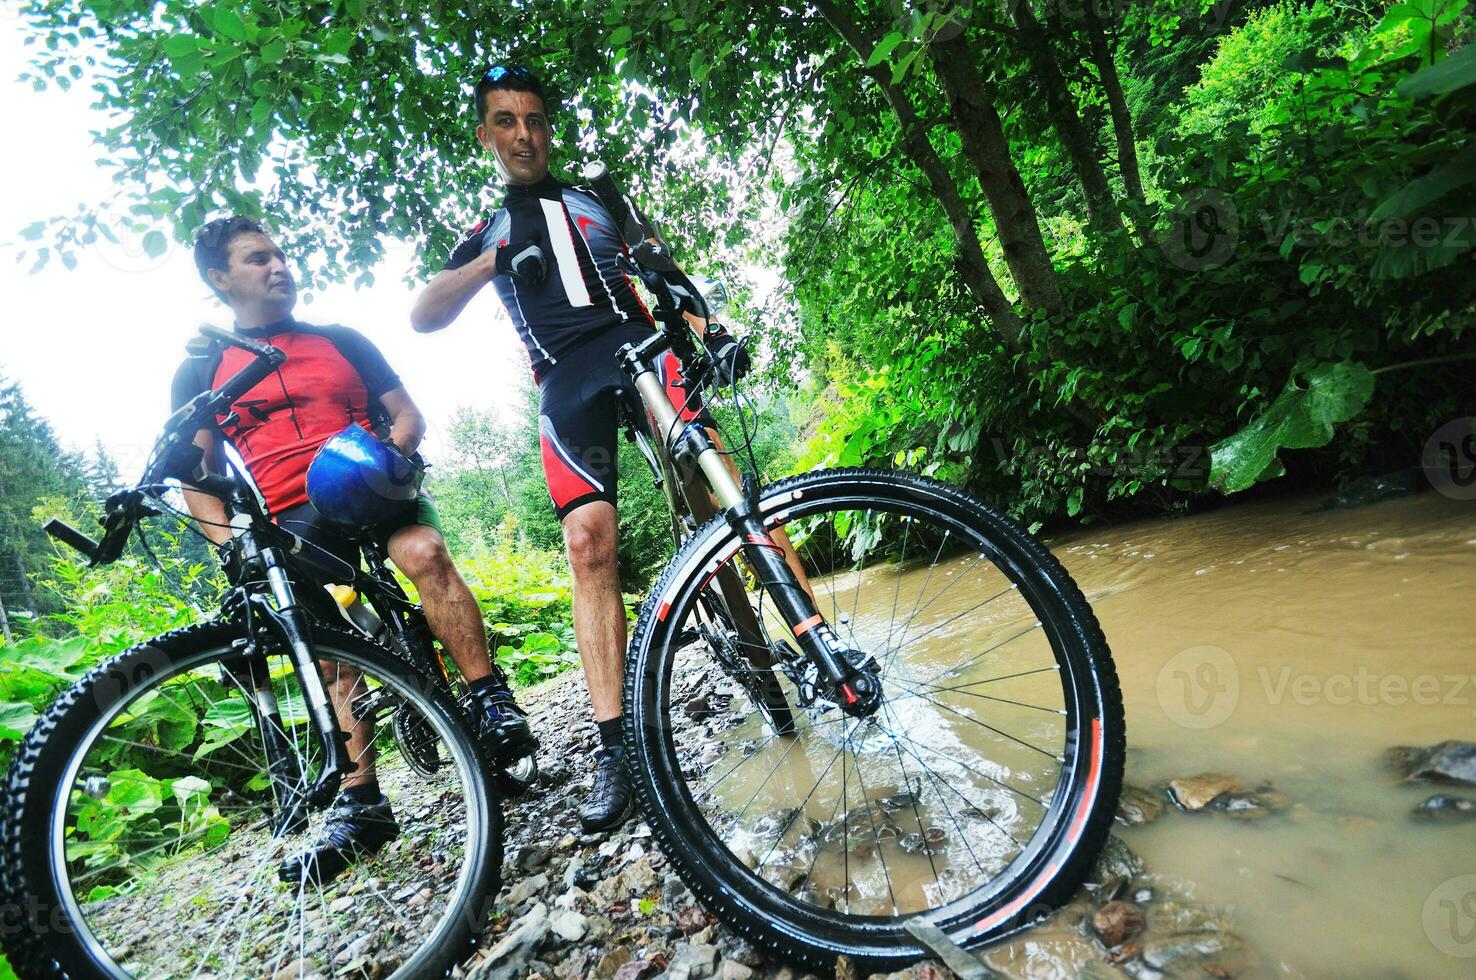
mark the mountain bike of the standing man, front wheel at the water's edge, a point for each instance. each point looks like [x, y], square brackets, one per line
[913, 722]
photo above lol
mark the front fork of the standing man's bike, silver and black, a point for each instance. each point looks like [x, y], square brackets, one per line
[858, 691]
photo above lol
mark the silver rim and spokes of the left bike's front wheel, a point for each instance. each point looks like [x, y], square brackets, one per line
[165, 855]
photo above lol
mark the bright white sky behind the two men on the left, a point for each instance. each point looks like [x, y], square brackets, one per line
[95, 348]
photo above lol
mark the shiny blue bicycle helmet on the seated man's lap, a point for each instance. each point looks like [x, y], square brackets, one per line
[356, 480]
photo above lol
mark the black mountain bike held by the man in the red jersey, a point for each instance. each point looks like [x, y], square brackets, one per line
[151, 810]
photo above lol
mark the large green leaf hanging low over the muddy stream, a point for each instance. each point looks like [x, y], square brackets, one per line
[1303, 417]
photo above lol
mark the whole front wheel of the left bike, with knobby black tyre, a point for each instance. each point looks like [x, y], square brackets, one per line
[144, 821]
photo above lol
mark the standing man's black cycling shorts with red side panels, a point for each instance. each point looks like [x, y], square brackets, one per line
[579, 423]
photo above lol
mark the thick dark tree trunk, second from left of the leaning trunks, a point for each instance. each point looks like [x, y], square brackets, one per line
[988, 150]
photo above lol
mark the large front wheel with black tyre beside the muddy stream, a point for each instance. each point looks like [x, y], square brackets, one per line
[960, 801]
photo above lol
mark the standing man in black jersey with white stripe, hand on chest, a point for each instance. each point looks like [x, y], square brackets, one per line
[551, 253]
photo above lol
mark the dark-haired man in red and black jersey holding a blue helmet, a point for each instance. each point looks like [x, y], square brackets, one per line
[331, 379]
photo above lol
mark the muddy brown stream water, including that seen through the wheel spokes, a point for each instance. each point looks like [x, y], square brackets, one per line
[1276, 643]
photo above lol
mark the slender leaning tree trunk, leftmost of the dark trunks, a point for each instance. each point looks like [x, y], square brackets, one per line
[972, 263]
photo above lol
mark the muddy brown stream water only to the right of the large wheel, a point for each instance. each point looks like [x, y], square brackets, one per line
[1294, 647]
